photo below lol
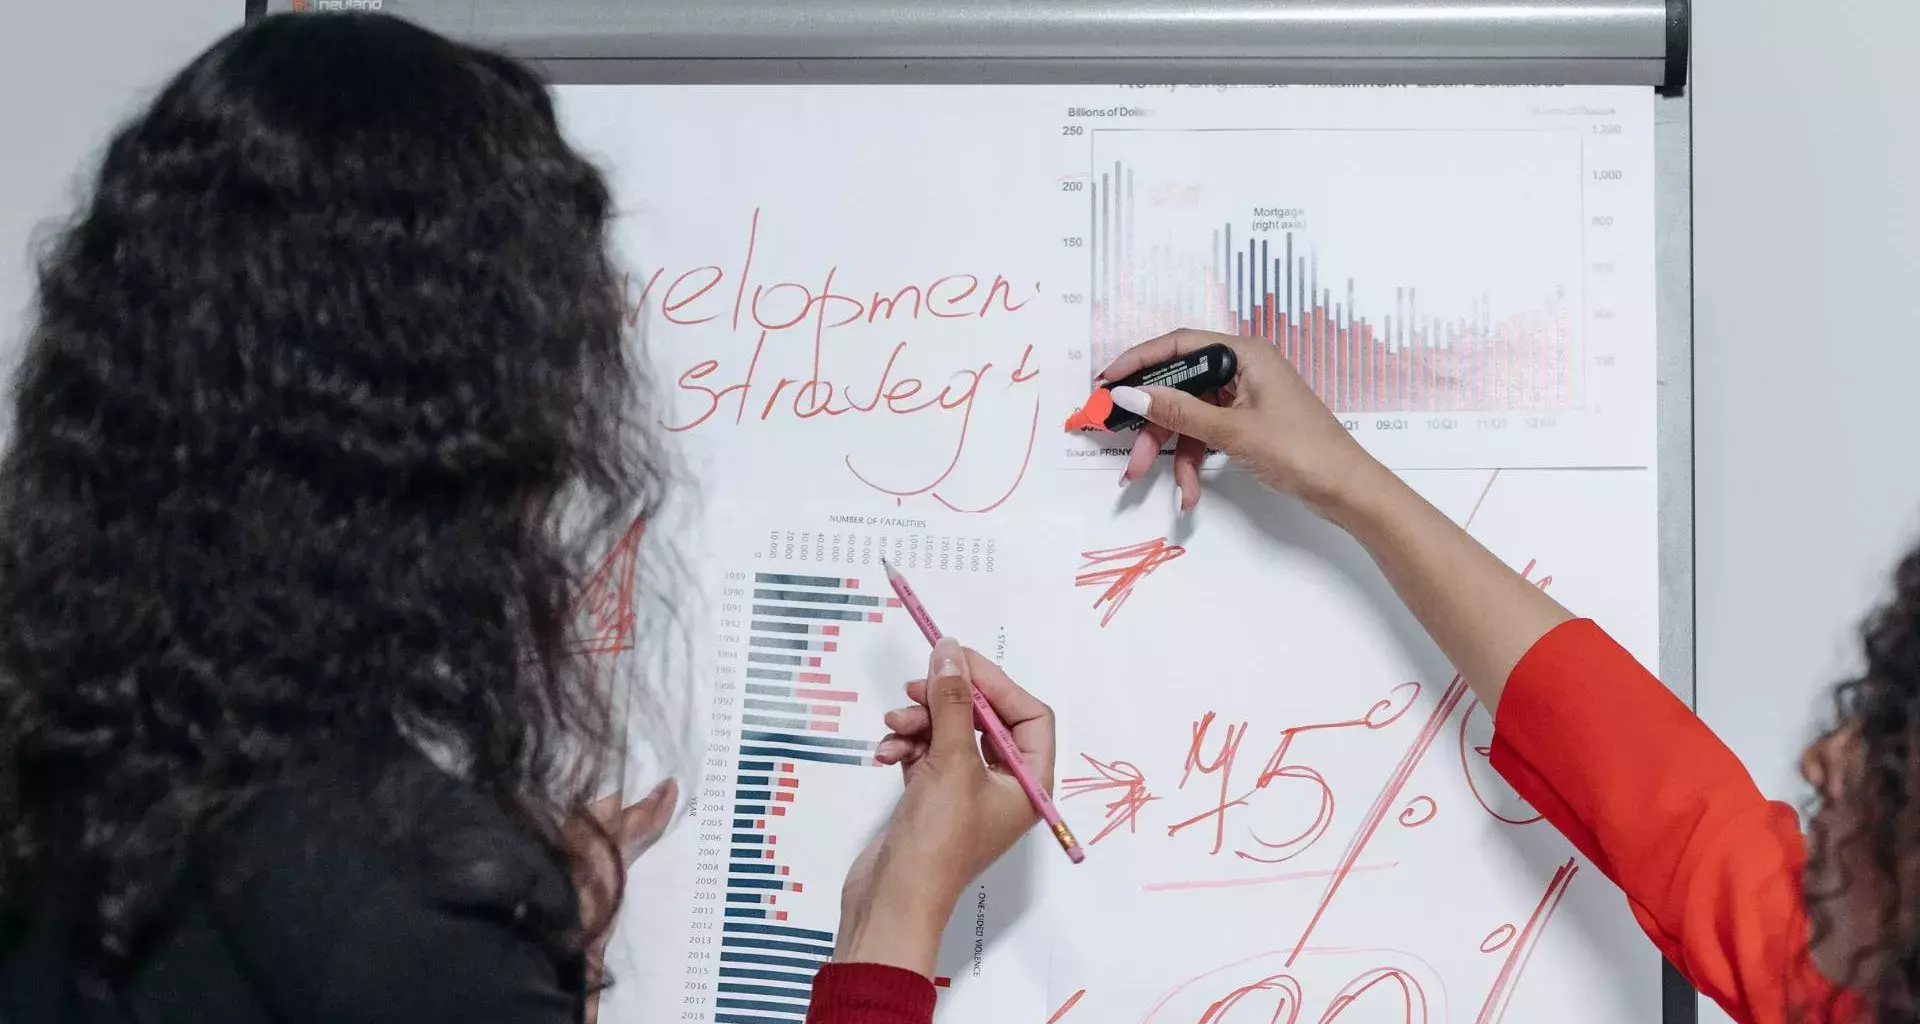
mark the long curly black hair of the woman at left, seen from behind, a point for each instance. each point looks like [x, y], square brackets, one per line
[325, 406]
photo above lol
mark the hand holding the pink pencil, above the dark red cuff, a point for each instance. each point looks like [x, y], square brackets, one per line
[961, 810]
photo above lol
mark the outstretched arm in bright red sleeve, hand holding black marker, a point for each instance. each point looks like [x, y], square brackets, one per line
[1595, 743]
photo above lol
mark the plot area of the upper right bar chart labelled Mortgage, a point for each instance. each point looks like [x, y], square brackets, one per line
[1489, 322]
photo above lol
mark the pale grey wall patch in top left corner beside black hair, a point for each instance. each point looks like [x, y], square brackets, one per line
[70, 72]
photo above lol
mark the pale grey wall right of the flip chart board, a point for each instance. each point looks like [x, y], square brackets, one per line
[1808, 368]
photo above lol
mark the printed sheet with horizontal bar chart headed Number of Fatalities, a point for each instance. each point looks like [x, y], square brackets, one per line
[809, 650]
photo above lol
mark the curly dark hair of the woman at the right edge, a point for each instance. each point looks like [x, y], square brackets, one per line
[1871, 862]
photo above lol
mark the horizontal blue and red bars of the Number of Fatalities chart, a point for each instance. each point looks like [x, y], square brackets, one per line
[796, 750]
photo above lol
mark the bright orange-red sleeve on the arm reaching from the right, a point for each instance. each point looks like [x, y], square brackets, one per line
[1666, 810]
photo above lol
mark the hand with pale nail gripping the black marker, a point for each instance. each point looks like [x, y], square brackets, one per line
[1268, 420]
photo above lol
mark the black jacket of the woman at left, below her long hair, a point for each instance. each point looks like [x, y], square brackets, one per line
[310, 908]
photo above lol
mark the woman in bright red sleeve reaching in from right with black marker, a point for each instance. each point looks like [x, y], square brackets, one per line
[1719, 877]
